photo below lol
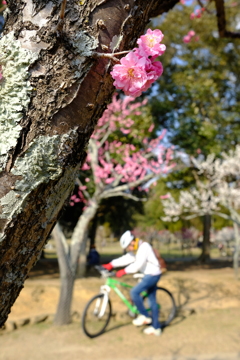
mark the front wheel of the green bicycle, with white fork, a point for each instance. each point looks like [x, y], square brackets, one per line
[96, 315]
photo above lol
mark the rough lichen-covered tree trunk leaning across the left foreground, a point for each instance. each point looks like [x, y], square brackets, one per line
[53, 92]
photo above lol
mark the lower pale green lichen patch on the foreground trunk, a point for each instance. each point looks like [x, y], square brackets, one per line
[41, 163]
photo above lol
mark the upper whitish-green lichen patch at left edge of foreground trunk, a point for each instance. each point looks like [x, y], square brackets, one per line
[15, 90]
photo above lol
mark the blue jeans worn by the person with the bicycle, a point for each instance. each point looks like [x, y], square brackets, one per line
[149, 284]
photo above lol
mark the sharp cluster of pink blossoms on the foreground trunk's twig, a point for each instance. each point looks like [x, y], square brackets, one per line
[138, 69]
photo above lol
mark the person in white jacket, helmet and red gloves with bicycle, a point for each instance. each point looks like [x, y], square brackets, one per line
[146, 262]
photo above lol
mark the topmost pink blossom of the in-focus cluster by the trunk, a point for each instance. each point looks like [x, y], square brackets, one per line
[149, 44]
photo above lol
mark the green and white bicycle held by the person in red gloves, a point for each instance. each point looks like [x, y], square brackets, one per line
[98, 311]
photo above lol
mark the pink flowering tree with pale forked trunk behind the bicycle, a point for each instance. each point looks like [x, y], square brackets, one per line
[112, 168]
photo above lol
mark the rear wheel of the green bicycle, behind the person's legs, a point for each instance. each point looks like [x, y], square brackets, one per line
[167, 310]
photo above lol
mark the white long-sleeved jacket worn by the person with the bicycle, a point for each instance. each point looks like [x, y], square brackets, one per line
[144, 261]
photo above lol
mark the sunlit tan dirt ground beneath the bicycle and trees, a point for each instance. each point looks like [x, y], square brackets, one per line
[207, 325]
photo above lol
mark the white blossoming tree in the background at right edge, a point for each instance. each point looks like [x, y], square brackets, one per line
[217, 188]
